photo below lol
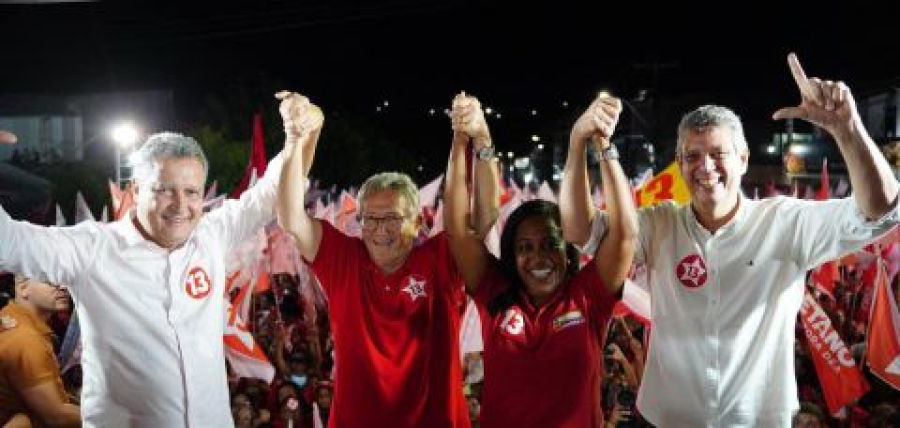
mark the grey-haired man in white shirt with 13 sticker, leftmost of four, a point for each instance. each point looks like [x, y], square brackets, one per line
[149, 288]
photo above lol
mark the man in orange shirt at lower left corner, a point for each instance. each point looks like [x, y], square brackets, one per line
[30, 383]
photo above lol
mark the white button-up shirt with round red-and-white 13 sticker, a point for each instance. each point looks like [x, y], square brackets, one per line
[151, 320]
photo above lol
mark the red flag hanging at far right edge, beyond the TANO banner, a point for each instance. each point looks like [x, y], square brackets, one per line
[883, 348]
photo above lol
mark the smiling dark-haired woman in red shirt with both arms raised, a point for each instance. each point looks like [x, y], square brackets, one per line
[543, 319]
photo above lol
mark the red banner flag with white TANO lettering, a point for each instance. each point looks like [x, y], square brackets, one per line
[842, 382]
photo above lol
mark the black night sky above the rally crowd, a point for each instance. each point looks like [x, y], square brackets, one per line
[417, 54]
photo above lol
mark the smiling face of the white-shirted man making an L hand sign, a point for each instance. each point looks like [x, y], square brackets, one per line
[712, 167]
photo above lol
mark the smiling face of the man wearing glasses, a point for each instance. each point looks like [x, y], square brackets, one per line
[388, 230]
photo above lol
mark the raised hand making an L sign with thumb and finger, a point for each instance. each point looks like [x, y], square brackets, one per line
[825, 103]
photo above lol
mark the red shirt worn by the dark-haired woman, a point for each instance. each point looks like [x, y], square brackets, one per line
[543, 366]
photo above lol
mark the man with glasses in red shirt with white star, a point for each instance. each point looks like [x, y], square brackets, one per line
[394, 306]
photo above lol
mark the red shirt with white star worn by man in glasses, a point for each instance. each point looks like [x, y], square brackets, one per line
[395, 336]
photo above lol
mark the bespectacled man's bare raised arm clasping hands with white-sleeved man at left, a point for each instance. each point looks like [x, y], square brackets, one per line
[302, 124]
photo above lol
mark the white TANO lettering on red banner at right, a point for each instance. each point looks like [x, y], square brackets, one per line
[821, 335]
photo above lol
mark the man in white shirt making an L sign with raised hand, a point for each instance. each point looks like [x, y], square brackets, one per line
[726, 273]
